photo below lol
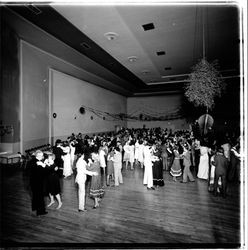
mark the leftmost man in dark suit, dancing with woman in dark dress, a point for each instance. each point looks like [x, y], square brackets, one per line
[37, 178]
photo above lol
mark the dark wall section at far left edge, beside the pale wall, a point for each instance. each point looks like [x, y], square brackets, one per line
[10, 87]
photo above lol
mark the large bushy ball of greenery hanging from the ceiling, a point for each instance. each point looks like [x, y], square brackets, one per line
[205, 84]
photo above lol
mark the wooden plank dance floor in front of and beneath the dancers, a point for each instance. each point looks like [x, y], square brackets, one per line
[174, 215]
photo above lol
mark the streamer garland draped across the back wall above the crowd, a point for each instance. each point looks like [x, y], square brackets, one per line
[137, 115]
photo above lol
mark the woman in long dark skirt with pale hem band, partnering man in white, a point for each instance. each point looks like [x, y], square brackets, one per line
[157, 167]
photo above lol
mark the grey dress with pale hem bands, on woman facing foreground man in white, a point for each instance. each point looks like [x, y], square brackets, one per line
[96, 190]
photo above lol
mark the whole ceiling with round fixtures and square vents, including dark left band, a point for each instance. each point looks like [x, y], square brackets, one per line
[152, 48]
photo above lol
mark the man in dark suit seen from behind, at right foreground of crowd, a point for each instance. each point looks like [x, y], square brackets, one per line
[221, 164]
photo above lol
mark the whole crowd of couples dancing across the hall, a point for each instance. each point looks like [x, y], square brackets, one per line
[155, 150]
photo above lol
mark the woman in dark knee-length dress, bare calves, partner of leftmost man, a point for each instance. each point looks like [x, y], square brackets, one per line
[52, 183]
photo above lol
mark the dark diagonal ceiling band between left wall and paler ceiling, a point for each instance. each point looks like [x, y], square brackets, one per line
[55, 24]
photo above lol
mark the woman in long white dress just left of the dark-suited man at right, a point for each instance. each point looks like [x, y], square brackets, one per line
[203, 170]
